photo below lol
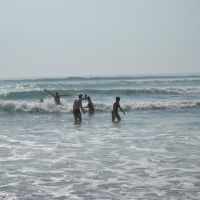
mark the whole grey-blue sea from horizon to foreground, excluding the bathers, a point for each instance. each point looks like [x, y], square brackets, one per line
[153, 153]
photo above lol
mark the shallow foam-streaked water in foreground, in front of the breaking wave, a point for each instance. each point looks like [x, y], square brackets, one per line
[146, 156]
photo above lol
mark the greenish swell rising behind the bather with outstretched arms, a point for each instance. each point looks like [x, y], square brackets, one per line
[37, 94]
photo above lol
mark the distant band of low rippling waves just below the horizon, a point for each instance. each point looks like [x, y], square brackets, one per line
[95, 82]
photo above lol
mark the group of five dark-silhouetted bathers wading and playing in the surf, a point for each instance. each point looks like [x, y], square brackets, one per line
[77, 106]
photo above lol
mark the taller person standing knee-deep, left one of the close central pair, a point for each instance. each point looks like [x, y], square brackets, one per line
[76, 109]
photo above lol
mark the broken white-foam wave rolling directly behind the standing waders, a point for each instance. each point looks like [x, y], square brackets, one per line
[10, 107]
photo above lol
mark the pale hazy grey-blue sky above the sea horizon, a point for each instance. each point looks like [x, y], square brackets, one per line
[53, 38]
